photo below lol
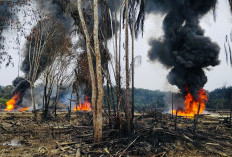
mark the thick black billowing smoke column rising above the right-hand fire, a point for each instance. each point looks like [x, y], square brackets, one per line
[184, 48]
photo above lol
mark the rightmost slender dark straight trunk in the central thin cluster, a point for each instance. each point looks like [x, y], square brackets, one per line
[133, 70]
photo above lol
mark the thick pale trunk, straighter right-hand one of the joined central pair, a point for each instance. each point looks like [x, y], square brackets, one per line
[100, 98]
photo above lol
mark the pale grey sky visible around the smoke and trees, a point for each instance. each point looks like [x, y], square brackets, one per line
[152, 75]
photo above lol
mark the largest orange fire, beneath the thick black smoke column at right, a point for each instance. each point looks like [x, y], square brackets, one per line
[192, 105]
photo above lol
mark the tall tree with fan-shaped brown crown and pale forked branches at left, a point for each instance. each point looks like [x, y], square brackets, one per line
[41, 48]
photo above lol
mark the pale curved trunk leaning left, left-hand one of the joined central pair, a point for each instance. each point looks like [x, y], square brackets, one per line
[90, 61]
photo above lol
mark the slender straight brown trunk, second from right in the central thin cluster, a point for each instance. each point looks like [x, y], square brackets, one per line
[127, 70]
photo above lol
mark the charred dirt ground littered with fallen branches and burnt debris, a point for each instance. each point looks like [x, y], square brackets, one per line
[154, 135]
